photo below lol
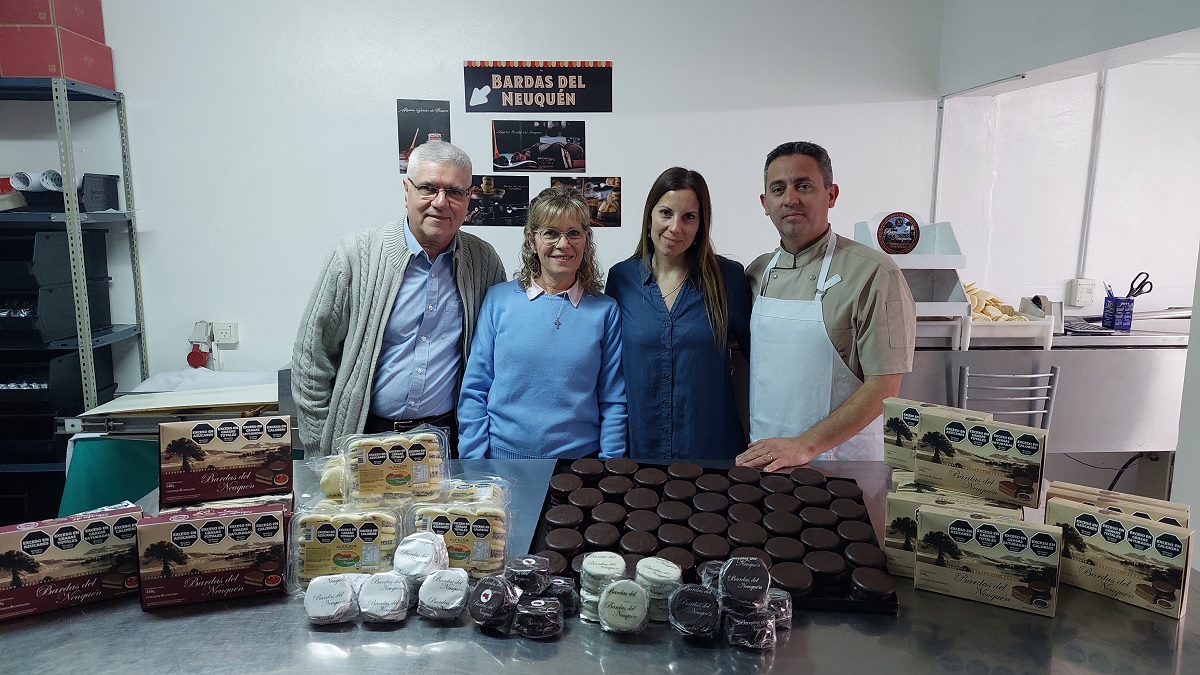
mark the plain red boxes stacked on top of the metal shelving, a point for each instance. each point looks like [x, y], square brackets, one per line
[56, 39]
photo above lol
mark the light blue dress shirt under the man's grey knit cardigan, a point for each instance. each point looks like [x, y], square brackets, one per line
[421, 357]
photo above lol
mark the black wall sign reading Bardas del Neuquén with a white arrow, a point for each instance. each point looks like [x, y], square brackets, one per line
[538, 87]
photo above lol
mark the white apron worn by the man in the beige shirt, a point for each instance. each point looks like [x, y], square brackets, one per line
[797, 378]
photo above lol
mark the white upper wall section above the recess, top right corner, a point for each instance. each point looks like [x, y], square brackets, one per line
[985, 41]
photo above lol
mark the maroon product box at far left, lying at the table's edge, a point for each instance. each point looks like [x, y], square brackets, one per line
[68, 561]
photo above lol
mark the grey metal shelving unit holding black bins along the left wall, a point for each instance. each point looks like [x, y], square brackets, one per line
[62, 283]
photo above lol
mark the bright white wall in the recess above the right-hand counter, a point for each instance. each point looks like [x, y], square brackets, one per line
[1015, 175]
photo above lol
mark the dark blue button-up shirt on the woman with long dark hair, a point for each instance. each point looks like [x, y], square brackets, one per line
[679, 384]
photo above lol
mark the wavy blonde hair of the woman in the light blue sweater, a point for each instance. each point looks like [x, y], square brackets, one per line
[551, 206]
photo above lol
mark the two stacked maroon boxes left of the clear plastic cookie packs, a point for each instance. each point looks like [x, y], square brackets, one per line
[226, 497]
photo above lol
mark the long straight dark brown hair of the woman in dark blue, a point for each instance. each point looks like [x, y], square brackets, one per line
[703, 267]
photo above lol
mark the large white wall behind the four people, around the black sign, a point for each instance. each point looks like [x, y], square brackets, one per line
[265, 132]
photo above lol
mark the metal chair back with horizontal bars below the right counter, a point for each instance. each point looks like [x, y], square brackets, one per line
[1024, 398]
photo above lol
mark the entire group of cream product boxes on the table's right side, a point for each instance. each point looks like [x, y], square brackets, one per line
[955, 519]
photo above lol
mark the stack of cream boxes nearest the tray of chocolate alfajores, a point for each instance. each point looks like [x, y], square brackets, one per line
[955, 523]
